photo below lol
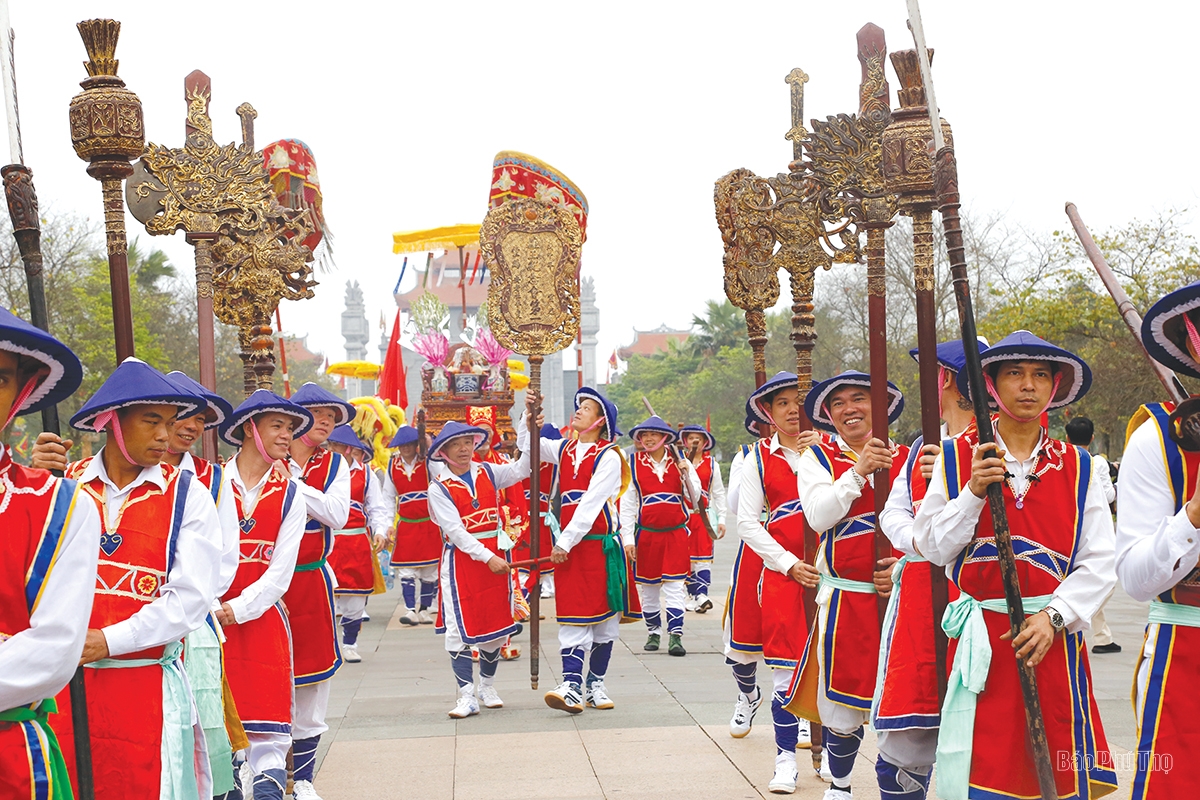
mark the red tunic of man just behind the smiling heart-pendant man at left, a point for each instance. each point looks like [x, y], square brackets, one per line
[316, 653]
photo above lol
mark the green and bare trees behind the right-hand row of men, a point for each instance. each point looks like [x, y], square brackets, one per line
[1021, 280]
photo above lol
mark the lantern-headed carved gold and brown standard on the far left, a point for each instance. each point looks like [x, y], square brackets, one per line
[109, 133]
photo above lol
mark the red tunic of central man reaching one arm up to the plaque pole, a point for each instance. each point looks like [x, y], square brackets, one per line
[481, 600]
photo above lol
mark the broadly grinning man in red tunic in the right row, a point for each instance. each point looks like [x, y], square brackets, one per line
[836, 682]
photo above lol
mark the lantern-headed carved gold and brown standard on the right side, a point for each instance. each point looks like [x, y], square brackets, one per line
[909, 173]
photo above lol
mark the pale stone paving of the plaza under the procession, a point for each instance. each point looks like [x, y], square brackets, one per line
[391, 736]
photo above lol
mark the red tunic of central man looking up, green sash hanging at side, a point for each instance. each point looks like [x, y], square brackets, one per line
[581, 582]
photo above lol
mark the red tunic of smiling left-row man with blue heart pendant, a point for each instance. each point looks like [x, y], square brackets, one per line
[259, 652]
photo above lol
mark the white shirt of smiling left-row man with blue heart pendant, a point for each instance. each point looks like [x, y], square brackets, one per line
[254, 601]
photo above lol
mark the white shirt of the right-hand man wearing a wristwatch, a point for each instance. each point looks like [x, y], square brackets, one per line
[945, 528]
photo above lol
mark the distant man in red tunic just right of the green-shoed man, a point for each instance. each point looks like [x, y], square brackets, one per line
[697, 440]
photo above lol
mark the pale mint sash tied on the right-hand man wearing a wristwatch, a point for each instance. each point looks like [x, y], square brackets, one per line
[973, 659]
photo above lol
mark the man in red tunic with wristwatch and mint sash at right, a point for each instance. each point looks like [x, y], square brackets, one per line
[1063, 539]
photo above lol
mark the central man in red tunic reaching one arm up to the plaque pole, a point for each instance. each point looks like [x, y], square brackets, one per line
[476, 584]
